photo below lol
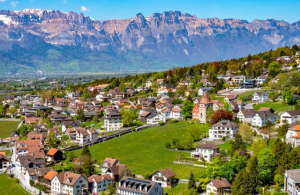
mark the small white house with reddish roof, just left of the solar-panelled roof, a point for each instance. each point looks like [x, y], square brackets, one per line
[99, 183]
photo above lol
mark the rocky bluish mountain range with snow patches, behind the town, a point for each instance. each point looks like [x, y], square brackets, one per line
[55, 41]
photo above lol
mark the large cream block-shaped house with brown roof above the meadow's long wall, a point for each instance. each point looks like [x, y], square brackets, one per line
[113, 121]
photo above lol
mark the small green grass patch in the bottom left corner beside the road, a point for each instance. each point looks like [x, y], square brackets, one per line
[10, 187]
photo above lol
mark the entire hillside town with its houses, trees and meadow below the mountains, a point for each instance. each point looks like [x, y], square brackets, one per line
[228, 127]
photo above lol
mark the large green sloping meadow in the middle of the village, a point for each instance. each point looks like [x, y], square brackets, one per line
[144, 151]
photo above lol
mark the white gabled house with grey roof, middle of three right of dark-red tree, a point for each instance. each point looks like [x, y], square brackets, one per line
[261, 118]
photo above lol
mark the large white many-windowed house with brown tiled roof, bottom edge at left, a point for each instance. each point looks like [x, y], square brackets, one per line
[69, 183]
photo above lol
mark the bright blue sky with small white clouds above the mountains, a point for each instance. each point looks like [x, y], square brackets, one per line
[287, 10]
